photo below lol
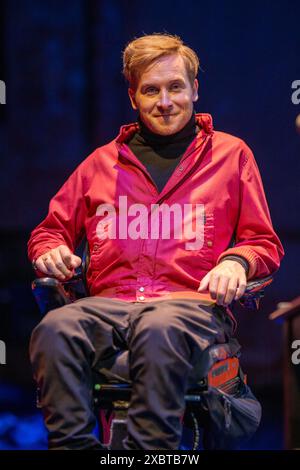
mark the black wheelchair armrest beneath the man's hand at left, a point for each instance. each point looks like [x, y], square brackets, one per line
[50, 293]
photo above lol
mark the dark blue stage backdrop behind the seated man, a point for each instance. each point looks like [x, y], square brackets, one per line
[66, 95]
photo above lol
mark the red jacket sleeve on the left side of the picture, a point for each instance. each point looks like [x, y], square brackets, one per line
[64, 224]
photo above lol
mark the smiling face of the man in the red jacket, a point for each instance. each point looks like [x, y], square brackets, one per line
[164, 96]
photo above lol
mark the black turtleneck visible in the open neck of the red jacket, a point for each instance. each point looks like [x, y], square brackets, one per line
[160, 154]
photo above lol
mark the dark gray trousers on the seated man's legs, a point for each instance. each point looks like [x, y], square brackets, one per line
[165, 340]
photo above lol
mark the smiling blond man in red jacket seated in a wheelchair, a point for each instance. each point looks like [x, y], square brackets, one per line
[177, 221]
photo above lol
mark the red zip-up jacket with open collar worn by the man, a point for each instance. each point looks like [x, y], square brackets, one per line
[217, 171]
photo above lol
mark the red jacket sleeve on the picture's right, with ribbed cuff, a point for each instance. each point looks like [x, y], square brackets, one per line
[255, 238]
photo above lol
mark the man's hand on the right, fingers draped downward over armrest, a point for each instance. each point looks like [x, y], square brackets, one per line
[226, 281]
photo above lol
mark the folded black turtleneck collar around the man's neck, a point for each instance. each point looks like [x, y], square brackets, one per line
[151, 138]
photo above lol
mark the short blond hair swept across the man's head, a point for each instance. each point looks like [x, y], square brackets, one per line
[143, 51]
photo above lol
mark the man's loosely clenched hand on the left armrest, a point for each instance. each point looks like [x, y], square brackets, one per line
[58, 262]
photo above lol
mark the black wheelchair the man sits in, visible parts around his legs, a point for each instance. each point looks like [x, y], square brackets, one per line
[112, 388]
